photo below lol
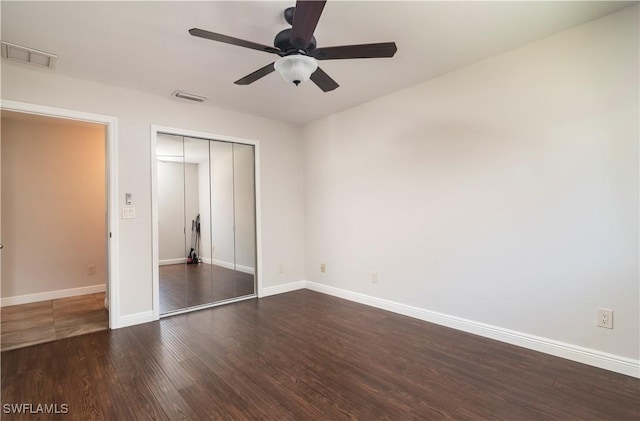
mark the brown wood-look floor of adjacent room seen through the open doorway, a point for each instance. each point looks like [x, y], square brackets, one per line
[45, 321]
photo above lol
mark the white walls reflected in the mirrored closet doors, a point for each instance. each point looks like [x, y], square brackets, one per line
[229, 180]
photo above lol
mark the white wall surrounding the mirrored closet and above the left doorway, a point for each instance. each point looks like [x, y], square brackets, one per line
[281, 169]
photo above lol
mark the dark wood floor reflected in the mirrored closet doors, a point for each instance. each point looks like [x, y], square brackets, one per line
[183, 286]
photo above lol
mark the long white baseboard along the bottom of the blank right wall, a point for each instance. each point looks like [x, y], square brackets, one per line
[616, 363]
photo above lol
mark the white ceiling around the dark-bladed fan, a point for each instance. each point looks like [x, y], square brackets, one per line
[145, 45]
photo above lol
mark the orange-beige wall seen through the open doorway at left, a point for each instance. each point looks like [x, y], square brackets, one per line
[53, 205]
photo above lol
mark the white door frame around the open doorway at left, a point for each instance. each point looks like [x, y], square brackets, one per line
[111, 179]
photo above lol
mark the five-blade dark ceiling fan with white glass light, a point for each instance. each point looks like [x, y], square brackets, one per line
[298, 50]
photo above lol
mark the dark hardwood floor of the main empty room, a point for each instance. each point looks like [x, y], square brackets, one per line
[307, 356]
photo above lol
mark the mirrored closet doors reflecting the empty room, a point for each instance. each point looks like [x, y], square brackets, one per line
[206, 222]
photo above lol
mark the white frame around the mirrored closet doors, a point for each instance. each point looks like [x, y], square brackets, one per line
[155, 129]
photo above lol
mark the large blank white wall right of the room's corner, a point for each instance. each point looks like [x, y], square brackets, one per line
[504, 193]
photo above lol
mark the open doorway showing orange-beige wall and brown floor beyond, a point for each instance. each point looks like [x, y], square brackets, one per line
[47, 164]
